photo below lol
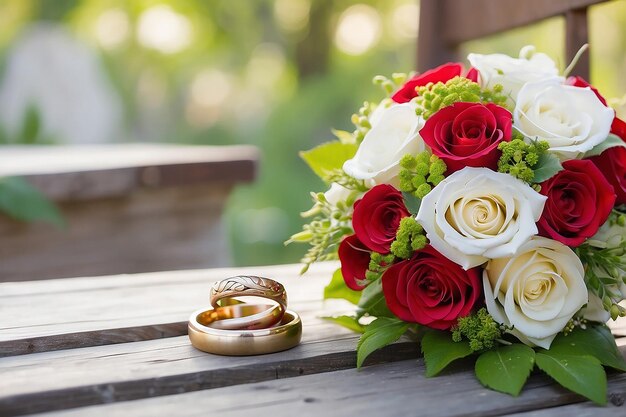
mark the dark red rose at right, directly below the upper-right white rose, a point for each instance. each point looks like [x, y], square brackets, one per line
[579, 201]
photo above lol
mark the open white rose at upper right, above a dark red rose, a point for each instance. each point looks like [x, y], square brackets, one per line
[571, 119]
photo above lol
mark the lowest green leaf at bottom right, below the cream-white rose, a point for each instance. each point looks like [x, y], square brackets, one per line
[583, 375]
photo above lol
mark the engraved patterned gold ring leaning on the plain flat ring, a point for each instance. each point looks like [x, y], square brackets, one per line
[223, 293]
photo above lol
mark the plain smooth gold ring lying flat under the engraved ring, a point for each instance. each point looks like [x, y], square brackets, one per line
[285, 335]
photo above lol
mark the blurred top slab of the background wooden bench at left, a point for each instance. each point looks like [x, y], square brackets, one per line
[84, 172]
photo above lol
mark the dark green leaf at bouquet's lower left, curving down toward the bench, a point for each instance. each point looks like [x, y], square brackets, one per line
[378, 334]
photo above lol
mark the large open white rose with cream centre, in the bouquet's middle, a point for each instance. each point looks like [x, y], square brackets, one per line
[477, 214]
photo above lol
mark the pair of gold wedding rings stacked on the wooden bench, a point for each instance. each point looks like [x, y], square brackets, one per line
[235, 328]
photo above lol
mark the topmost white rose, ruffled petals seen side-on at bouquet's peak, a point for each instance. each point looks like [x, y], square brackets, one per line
[513, 73]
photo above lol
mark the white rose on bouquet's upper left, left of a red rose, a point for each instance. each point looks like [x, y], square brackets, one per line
[395, 133]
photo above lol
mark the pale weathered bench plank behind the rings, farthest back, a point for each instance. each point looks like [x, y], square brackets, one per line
[68, 313]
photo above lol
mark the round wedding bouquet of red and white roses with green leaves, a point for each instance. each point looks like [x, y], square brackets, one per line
[483, 212]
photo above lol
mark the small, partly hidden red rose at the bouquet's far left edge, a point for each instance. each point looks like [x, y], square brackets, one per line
[355, 259]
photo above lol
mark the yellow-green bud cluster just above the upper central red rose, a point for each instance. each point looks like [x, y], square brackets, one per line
[433, 97]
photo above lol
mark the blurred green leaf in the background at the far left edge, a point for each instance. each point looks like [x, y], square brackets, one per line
[22, 201]
